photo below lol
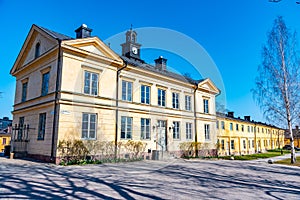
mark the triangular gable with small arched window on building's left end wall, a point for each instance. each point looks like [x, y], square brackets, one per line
[27, 53]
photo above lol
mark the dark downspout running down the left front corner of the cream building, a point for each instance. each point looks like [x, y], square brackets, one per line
[55, 116]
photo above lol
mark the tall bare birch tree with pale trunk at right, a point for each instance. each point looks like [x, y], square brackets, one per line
[277, 87]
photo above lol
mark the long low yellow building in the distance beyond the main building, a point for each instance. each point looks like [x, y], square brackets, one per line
[238, 136]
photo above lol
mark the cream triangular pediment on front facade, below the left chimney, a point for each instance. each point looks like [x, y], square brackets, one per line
[93, 45]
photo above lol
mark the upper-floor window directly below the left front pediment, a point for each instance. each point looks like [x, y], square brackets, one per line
[90, 83]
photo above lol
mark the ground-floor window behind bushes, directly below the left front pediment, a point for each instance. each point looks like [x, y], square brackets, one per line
[89, 122]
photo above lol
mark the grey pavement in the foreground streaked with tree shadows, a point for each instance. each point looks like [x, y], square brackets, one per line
[173, 179]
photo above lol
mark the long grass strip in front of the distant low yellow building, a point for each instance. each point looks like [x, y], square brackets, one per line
[268, 154]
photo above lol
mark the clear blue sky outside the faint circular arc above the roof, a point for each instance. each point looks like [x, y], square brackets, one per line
[232, 32]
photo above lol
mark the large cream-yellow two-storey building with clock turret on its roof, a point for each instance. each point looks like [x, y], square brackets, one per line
[79, 88]
